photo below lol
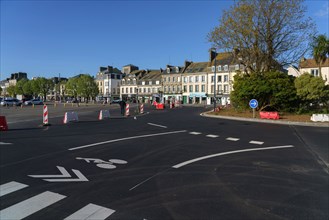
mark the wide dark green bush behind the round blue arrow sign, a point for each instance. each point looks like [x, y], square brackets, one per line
[273, 88]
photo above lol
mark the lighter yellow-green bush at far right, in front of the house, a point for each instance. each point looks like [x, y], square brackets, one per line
[311, 91]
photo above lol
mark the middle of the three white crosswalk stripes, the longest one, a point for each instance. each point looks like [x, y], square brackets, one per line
[28, 207]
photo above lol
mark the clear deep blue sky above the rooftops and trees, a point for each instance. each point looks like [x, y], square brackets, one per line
[48, 38]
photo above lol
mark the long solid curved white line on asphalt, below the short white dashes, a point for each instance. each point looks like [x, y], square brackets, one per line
[226, 153]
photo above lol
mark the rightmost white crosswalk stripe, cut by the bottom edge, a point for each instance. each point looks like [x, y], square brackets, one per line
[91, 211]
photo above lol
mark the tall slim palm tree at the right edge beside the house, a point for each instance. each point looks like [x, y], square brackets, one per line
[320, 50]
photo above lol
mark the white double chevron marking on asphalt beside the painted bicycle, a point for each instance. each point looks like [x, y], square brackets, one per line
[81, 177]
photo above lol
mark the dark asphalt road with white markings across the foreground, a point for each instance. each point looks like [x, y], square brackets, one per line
[164, 164]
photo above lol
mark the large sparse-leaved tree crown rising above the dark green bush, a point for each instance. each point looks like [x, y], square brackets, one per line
[264, 35]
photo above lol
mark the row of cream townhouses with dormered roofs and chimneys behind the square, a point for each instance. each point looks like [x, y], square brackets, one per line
[192, 83]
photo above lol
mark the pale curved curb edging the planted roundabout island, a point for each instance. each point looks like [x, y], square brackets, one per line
[310, 124]
